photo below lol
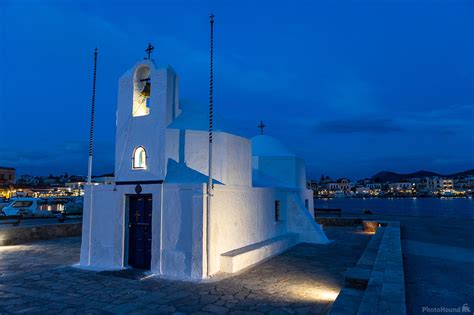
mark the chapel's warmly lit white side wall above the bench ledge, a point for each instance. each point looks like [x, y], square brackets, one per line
[244, 216]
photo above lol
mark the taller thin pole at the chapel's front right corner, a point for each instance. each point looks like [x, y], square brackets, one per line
[209, 184]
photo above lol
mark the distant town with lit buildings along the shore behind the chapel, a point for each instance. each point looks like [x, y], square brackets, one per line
[383, 184]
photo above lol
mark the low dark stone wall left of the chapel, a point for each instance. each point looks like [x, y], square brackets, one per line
[22, 234]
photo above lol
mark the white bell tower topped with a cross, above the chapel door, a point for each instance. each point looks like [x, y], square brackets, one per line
[147, 103]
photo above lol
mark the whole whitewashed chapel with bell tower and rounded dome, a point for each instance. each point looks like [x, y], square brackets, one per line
[155, 215]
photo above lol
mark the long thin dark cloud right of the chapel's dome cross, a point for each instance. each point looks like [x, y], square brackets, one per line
[359, 125]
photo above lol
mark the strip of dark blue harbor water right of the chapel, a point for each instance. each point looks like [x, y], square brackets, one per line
[413, 206]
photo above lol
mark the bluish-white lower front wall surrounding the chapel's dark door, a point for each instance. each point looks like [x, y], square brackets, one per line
[109, 236]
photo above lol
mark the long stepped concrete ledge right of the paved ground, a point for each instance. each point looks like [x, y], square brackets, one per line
[376, 285]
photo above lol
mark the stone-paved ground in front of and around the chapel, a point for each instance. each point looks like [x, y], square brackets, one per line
[306, 279]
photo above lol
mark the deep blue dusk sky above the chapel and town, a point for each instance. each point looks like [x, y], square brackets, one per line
[353, 87]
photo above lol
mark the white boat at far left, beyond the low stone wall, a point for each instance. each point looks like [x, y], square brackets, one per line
[28, 207]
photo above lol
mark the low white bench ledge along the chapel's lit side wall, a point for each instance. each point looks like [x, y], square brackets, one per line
[244, 257]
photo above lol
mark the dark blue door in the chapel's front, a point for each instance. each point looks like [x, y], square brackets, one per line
[139, 236]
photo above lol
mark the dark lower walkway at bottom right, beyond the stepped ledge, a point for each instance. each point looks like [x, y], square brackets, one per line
[439, 264]
